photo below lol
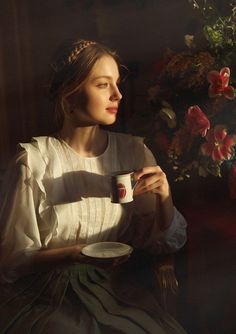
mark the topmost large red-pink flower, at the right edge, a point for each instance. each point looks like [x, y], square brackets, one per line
[219, 84]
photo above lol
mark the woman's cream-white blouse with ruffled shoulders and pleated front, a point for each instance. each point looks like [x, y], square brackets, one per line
[54, 197]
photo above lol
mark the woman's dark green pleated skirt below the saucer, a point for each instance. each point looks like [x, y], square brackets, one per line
[84, 299]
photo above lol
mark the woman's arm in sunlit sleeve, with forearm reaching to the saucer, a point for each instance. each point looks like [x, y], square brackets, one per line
[21, 249]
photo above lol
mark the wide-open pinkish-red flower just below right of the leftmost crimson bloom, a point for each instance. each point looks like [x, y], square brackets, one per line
[219, 144]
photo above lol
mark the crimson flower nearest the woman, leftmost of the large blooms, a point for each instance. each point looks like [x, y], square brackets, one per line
[197, 122]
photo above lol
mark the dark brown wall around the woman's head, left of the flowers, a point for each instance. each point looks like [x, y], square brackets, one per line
[31, 31]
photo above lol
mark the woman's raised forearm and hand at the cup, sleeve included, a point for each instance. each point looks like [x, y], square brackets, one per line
[159, 226]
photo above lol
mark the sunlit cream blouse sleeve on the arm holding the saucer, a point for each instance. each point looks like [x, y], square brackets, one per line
[18, 218]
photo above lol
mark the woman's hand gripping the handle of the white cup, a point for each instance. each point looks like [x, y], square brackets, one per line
[151, 179]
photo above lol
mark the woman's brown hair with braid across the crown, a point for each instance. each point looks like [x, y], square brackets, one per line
[74, 62]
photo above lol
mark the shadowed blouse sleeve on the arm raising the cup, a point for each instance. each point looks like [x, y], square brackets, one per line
[147, 234]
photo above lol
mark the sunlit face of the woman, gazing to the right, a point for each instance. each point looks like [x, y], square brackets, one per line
[98, 100]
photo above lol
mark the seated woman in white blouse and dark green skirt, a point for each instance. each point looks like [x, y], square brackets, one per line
[57, 199]
